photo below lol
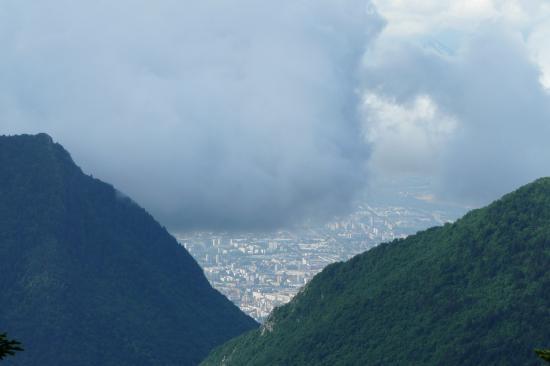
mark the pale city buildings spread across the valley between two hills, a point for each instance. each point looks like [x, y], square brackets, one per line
[261, 271]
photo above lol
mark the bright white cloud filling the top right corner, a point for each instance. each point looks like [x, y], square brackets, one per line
[449, 24]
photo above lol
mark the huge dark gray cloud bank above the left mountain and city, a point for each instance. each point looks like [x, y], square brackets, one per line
[211, 114]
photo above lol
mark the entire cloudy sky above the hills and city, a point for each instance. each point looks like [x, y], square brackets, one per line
[255, 115]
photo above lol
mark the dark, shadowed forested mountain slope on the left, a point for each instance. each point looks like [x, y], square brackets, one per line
[87, 277]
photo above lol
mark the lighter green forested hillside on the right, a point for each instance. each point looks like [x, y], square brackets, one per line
[476, 292]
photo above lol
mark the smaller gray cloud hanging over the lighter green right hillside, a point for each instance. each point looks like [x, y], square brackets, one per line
[489, 88]
